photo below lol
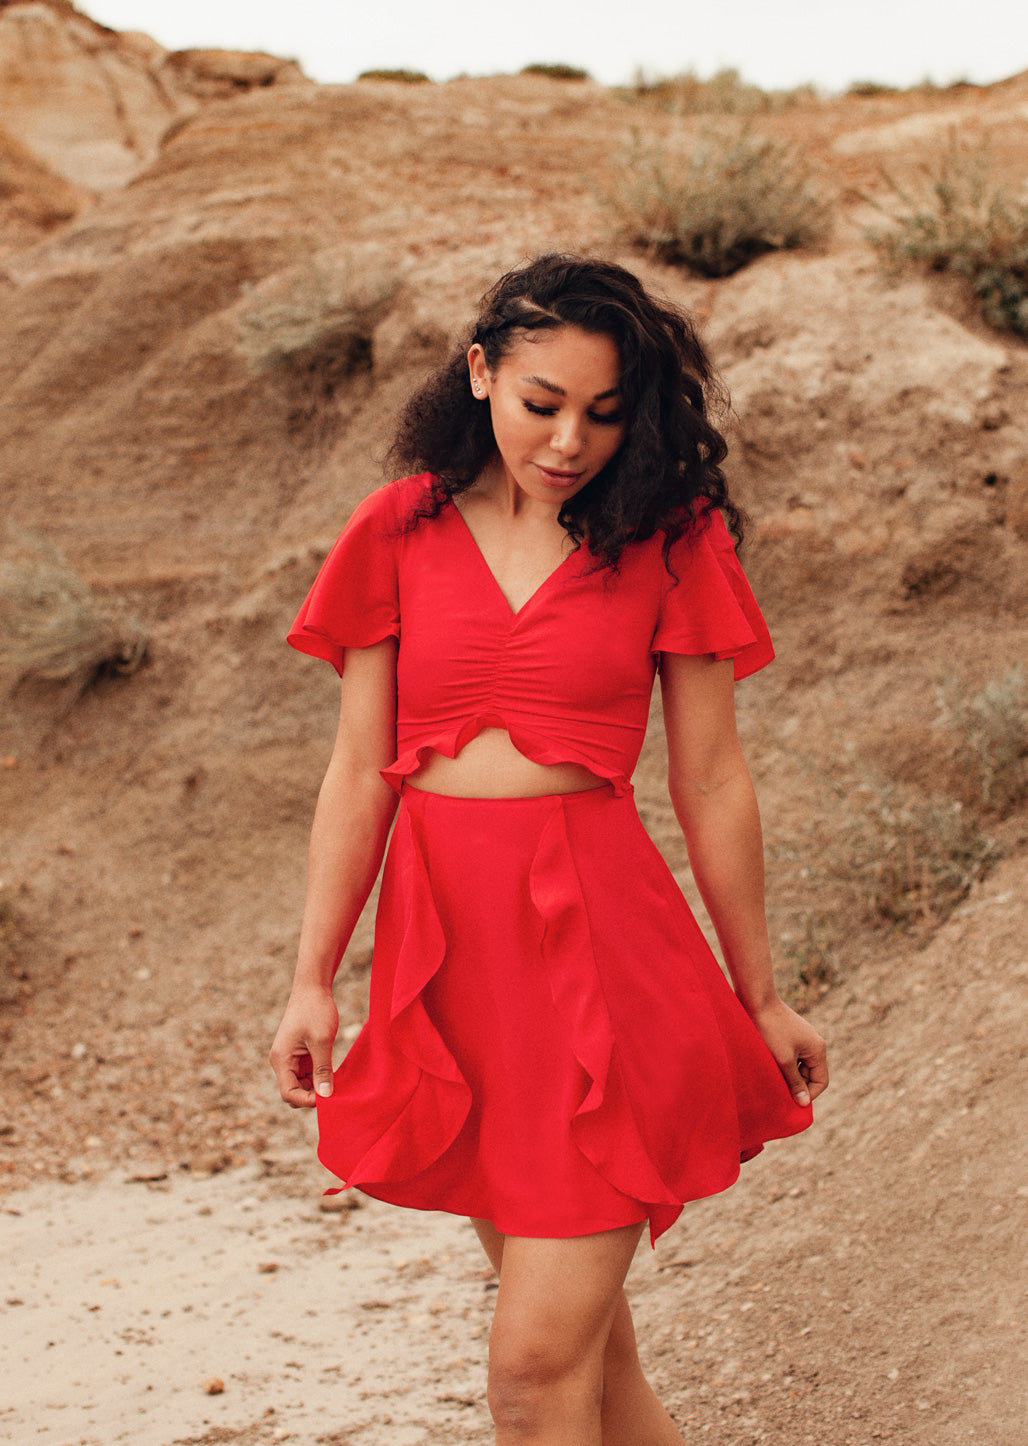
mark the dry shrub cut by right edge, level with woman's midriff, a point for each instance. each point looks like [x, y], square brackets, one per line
[993, 740]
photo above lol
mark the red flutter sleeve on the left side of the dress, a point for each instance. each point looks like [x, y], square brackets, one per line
[355, 598]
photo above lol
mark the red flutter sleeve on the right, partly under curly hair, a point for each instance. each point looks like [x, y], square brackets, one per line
[709, 607]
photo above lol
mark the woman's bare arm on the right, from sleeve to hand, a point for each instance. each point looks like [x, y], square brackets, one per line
[714, 799]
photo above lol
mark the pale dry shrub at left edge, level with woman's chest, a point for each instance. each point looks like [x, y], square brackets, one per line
[54, 628]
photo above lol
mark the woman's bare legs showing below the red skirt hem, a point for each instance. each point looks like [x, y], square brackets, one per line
[565, 1370]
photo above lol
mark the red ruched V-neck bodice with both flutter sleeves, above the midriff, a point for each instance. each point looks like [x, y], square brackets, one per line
[569, 676]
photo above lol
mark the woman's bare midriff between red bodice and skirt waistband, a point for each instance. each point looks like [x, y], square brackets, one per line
[491, 767]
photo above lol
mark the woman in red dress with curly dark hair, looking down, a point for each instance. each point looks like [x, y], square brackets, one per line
[552, 1048]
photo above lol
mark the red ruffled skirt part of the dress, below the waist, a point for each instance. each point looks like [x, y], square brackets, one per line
[552, 1045]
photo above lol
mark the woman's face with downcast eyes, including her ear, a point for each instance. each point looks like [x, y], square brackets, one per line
[557, 413]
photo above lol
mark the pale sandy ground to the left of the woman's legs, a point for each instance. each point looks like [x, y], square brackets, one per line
[128, 1304]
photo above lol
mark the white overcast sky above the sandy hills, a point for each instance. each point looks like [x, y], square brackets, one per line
[773, 43]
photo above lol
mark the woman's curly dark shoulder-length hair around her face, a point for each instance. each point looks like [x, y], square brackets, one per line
[667, 474]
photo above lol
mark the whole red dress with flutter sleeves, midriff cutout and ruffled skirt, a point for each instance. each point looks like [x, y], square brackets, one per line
[552, 1045]
